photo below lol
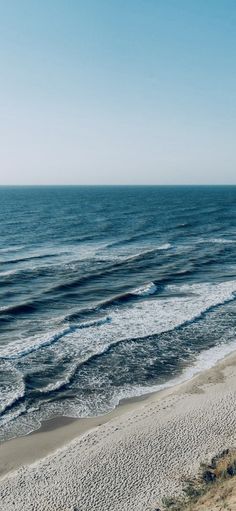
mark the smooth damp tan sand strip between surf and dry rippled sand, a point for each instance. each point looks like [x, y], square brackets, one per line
[71, 427]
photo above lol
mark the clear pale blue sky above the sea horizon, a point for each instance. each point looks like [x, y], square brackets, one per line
[117, 92]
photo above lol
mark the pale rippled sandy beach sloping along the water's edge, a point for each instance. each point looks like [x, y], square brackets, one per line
[140, 453]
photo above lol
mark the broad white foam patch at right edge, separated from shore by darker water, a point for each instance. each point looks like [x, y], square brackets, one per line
[147, 318]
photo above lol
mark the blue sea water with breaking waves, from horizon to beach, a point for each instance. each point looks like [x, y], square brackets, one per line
[108, 293]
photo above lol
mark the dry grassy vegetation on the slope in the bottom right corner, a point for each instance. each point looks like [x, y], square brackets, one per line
[213, 490]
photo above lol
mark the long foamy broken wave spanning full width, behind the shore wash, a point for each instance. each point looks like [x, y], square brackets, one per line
[138, 320]
